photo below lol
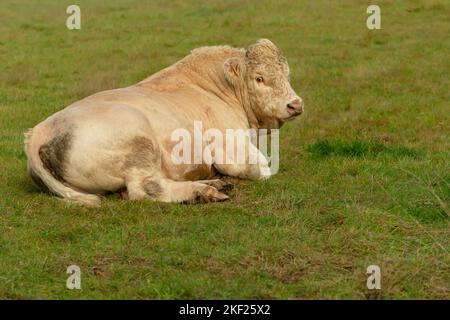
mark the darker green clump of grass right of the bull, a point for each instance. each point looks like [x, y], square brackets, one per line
[359, 149]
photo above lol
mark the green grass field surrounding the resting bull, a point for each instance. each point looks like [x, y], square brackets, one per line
[364, 173]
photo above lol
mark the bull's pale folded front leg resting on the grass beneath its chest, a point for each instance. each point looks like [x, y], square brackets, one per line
[255, 166]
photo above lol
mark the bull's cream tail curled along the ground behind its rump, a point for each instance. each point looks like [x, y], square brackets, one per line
[34, 139]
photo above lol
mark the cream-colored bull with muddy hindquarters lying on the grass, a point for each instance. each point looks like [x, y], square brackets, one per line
[121, 139]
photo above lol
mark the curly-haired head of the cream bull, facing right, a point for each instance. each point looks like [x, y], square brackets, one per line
[263, 77]
